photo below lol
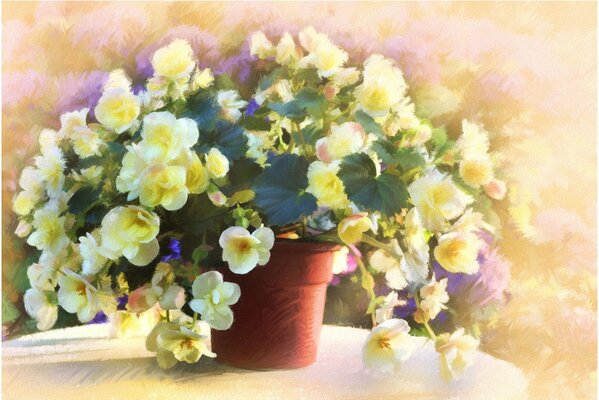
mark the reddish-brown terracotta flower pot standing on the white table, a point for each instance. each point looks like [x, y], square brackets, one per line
[279, 315]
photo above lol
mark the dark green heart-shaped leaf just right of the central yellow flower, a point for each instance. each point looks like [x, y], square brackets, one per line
[385, 193]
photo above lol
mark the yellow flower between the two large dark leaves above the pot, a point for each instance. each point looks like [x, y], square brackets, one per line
[325, 185]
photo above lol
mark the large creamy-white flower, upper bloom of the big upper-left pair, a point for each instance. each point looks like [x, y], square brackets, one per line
[164, 137]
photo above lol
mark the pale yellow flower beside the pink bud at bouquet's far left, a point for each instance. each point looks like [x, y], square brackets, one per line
[49, 229]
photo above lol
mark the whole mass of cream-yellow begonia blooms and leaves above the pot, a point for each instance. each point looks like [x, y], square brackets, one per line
[135, 205]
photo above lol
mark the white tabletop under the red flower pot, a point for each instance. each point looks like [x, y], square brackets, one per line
[83, 363]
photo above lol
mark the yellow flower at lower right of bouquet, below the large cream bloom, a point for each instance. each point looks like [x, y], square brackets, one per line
[458, 252]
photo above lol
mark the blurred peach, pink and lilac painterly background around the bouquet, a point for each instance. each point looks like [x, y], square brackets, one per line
[527, 71]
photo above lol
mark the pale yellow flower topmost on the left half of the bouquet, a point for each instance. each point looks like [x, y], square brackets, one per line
[174, 61]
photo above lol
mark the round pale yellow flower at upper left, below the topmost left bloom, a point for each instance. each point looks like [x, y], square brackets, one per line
[117, 109]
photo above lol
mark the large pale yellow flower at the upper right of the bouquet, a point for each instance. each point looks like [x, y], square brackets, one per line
[382, 88]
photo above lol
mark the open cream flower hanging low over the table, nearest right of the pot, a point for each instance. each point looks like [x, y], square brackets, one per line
[387, 346]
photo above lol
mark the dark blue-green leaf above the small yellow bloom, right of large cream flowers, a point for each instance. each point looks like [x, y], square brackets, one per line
[229, 138]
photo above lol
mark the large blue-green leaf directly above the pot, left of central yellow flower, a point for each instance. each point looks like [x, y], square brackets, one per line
[281, 190]
